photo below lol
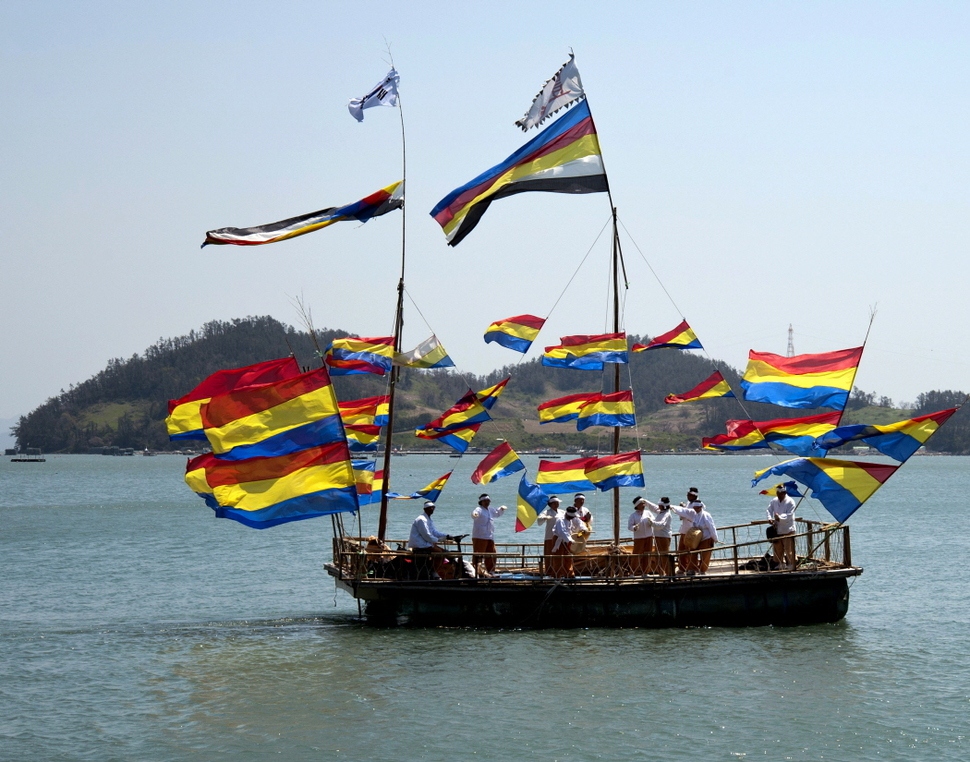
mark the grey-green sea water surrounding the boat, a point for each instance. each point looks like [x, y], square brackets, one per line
[136, 626]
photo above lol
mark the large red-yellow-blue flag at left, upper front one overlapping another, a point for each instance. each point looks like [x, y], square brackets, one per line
[274, 419]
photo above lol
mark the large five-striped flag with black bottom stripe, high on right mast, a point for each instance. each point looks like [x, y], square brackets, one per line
[563, 158]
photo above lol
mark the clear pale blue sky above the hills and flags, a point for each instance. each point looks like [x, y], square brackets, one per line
[776, 163]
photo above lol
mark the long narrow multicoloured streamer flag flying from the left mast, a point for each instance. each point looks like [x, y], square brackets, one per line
[383, 201]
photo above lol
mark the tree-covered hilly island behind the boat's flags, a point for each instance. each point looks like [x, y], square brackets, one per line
[125, 404]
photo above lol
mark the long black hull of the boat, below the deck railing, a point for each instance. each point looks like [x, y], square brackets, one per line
[782, 599]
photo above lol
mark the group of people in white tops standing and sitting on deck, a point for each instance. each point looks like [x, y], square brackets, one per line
[650, 524]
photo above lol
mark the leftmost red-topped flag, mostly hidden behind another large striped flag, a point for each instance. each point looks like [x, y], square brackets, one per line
[184, 419]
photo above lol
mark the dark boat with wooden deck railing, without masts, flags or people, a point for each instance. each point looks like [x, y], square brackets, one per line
[738, 589]
